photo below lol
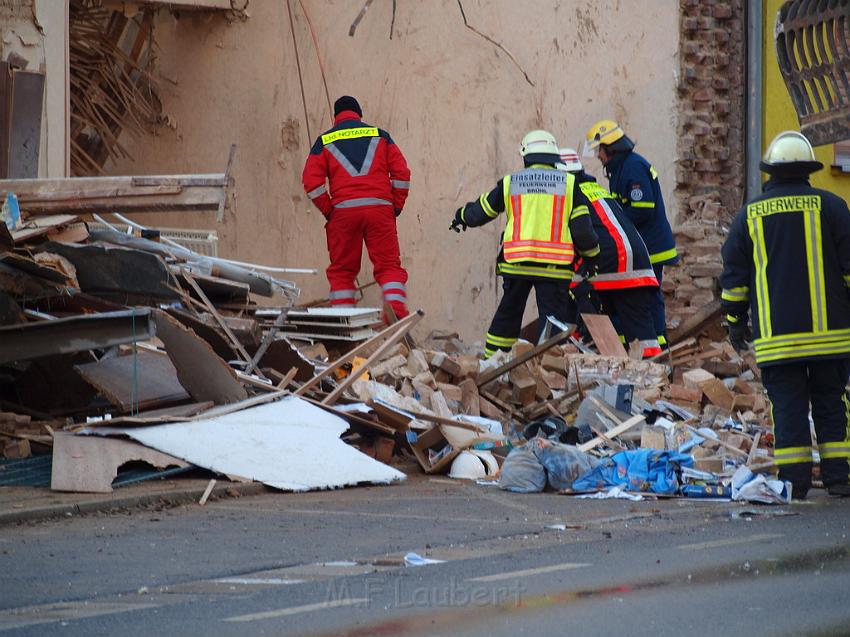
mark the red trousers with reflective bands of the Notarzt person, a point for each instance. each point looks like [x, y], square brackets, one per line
[347, 230]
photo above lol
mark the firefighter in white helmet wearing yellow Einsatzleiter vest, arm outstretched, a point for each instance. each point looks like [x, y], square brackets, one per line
[547, 226]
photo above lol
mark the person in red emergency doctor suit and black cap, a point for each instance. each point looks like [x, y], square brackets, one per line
[359, 179]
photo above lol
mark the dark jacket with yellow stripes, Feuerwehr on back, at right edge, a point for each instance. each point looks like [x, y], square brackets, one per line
[787, 258]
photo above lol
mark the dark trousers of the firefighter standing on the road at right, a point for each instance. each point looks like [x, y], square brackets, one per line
[792, 388]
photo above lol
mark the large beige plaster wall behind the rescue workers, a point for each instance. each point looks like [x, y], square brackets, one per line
[456, 105]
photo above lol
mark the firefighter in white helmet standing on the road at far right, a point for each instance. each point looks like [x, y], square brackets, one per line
[787, 258]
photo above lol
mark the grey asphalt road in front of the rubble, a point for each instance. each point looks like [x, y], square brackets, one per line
[332, 564]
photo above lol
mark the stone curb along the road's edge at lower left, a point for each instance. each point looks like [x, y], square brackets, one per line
[133, 501]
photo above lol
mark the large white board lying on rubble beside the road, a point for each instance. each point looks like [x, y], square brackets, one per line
[288, 444]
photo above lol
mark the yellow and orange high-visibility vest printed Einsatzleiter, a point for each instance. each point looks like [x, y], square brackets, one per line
[538, 204]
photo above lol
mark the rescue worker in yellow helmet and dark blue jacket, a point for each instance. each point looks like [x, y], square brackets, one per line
[634, 182]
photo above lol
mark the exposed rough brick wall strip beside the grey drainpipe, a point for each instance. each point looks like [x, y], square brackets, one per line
[710, 172]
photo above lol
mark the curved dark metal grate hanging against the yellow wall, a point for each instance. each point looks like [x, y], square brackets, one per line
[813, 50]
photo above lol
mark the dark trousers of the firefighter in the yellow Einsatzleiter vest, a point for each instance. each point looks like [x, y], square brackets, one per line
[552, 299]
